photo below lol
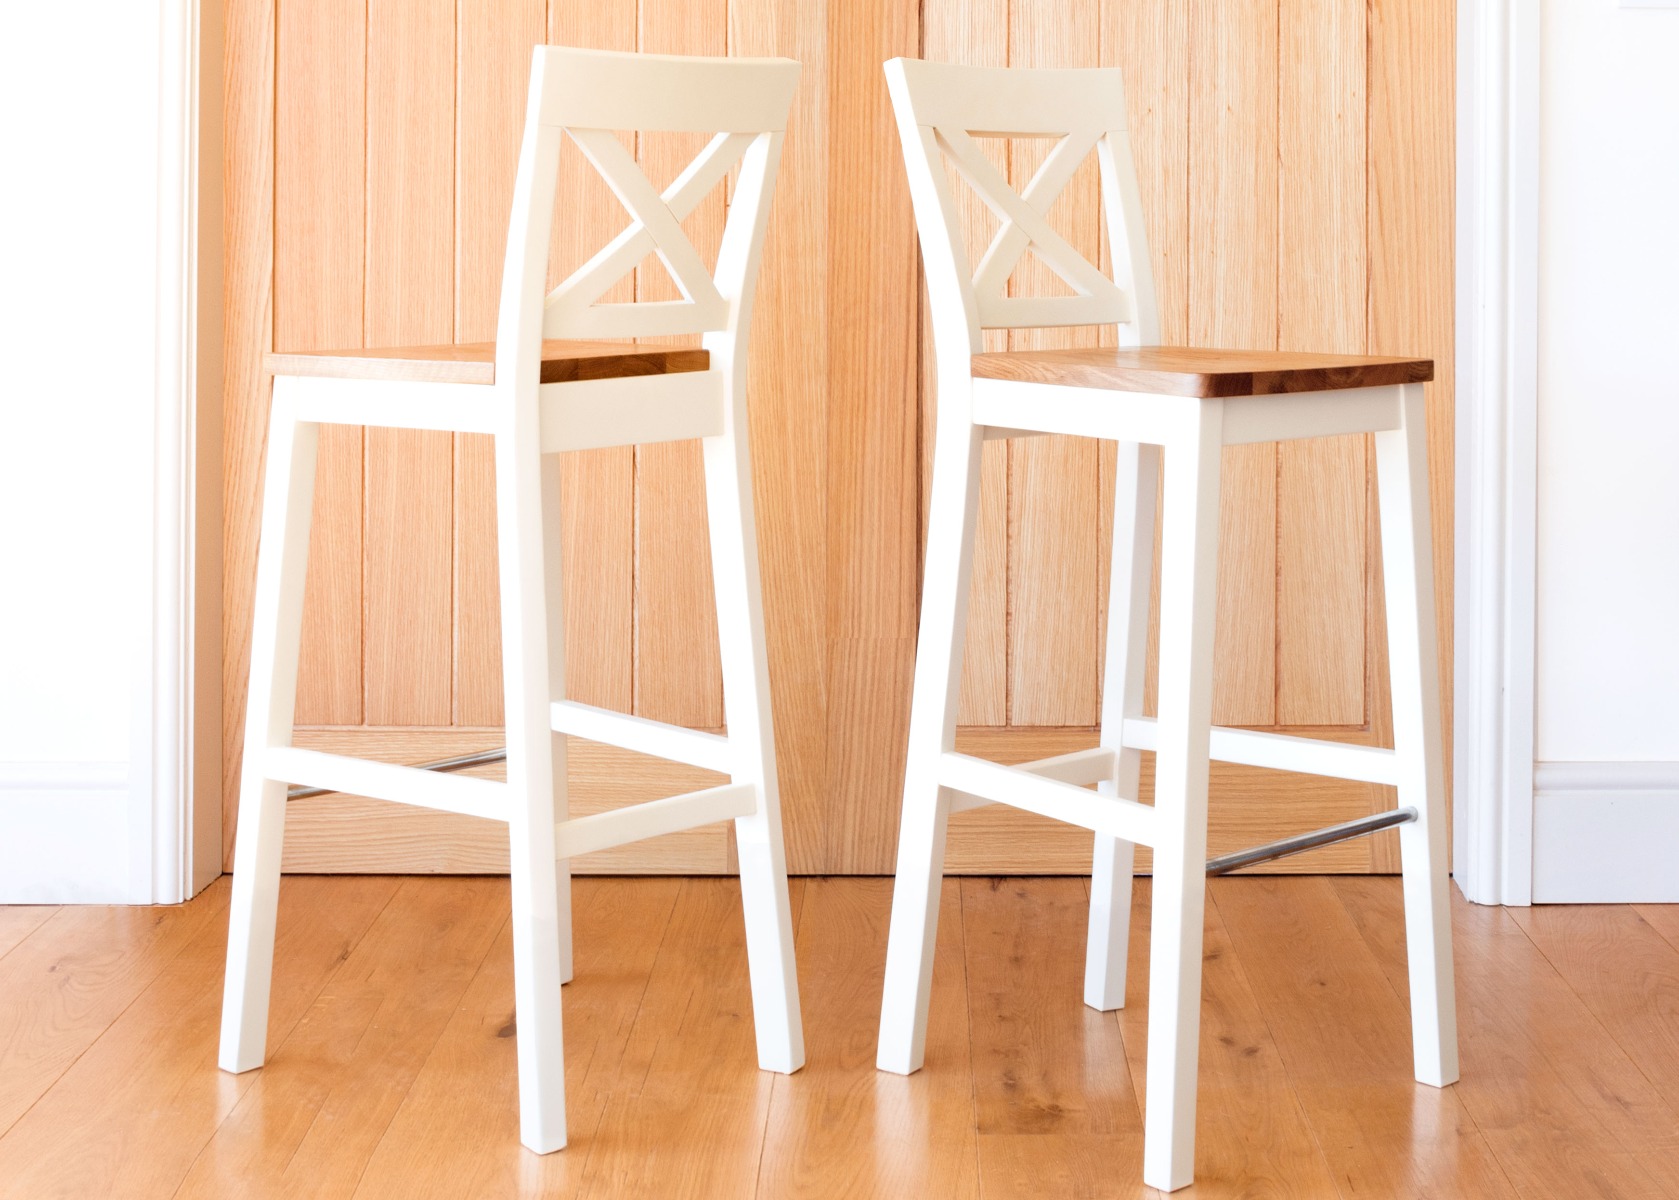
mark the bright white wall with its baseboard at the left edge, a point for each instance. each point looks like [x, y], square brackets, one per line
[78, 274]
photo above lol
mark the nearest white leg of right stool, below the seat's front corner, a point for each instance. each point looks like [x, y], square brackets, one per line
[1188, 605]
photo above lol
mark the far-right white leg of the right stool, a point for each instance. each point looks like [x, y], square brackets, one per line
[1408, 570]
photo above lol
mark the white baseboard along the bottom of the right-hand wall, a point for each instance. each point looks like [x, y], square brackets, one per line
[1606, 833]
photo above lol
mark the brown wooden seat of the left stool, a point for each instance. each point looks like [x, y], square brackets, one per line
[563, 362]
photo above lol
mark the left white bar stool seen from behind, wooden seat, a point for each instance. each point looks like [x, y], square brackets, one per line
[538, 399]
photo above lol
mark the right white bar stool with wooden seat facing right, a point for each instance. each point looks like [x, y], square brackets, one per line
[1193, 404]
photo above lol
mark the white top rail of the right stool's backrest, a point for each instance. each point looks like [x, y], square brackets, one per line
[1013, 102]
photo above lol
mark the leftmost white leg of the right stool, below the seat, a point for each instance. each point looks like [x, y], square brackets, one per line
[955, 506]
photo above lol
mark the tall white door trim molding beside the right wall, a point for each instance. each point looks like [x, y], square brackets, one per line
[1499, 177]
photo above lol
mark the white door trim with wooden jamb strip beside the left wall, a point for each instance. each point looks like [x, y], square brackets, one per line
[175, 775]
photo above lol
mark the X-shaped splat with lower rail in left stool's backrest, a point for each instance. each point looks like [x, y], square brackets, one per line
[656, 227]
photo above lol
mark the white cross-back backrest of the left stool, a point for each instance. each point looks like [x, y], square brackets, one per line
[588, 97]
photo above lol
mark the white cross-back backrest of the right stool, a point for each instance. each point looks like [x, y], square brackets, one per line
[941, 110]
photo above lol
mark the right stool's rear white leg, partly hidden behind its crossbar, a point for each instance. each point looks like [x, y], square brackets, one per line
[1122, 696]
